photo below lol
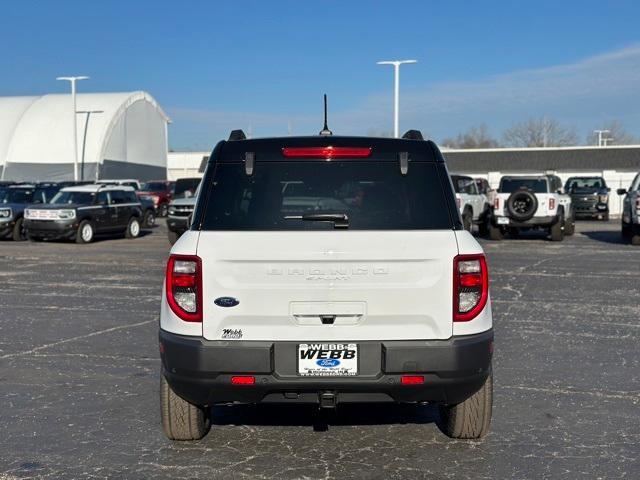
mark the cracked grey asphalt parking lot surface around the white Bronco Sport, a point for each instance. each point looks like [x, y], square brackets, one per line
[79, 373]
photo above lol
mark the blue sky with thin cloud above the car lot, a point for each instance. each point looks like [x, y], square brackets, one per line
[215, 66]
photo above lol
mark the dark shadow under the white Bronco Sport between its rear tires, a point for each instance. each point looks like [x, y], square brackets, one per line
[320, 420]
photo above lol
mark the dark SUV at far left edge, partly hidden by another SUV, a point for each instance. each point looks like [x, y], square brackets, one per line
[13, 201]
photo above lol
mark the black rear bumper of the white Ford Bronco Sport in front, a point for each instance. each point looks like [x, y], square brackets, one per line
[200, 370]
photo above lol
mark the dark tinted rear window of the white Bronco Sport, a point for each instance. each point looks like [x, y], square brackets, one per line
[373, 194]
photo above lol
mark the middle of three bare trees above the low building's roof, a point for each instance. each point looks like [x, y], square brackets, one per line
[540, 132]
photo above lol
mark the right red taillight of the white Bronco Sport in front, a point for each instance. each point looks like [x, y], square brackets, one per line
[470, 286]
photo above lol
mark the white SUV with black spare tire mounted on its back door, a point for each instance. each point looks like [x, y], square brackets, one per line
[530, 203]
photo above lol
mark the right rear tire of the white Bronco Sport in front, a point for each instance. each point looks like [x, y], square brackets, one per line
[470, 419]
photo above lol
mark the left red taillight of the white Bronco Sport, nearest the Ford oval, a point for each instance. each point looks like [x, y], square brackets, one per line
[184, 287]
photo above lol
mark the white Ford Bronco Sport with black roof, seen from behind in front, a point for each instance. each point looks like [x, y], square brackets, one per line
[326, 270]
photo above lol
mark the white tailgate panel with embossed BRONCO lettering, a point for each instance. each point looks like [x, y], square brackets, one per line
[328, 285]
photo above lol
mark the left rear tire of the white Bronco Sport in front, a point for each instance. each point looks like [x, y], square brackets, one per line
[181, 420]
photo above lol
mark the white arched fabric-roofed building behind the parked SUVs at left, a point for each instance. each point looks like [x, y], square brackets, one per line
[119, 135]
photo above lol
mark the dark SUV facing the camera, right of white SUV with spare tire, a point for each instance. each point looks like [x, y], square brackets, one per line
[589, 197]
